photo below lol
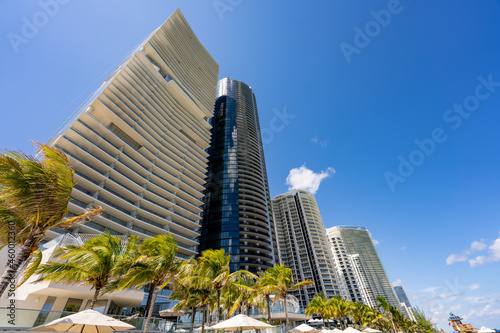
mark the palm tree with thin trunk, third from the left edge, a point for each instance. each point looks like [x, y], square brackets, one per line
[156, 265]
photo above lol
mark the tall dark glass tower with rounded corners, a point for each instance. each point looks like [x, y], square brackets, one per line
[236, 215]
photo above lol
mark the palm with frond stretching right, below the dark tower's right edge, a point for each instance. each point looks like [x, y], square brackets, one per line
[280, 280]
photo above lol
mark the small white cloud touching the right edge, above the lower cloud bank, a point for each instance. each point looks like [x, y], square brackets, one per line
[493, 254]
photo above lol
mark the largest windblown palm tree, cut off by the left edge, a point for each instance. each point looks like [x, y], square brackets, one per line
[34, 196]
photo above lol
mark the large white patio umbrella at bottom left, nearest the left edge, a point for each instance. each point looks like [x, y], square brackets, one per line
[88, 321]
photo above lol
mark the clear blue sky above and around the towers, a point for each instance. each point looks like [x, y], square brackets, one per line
[346, 88]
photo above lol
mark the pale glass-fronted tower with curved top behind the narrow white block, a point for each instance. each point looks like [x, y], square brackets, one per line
[367, 265]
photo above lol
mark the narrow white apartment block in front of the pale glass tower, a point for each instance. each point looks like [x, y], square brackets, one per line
[351, 272]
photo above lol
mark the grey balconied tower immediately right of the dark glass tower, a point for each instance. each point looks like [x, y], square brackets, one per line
[303, 244]
